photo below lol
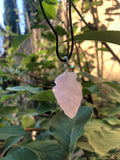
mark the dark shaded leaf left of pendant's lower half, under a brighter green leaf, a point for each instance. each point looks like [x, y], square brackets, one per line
[45, 106]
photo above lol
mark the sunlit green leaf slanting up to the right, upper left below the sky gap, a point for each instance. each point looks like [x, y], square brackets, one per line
[18, 40]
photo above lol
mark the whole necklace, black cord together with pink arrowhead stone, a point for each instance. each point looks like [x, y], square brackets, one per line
[68, 91]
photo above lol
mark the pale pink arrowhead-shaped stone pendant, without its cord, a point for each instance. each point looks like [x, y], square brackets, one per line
[68, 92]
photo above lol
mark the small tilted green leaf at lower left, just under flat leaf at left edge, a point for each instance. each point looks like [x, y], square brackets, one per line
[11, 141]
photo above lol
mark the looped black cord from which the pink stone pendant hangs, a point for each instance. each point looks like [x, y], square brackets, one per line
[55, 33]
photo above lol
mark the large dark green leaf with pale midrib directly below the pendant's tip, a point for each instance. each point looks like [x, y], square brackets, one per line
[67, 130]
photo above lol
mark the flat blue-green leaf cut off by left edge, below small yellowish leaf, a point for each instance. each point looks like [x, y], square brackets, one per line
[9, 131]
